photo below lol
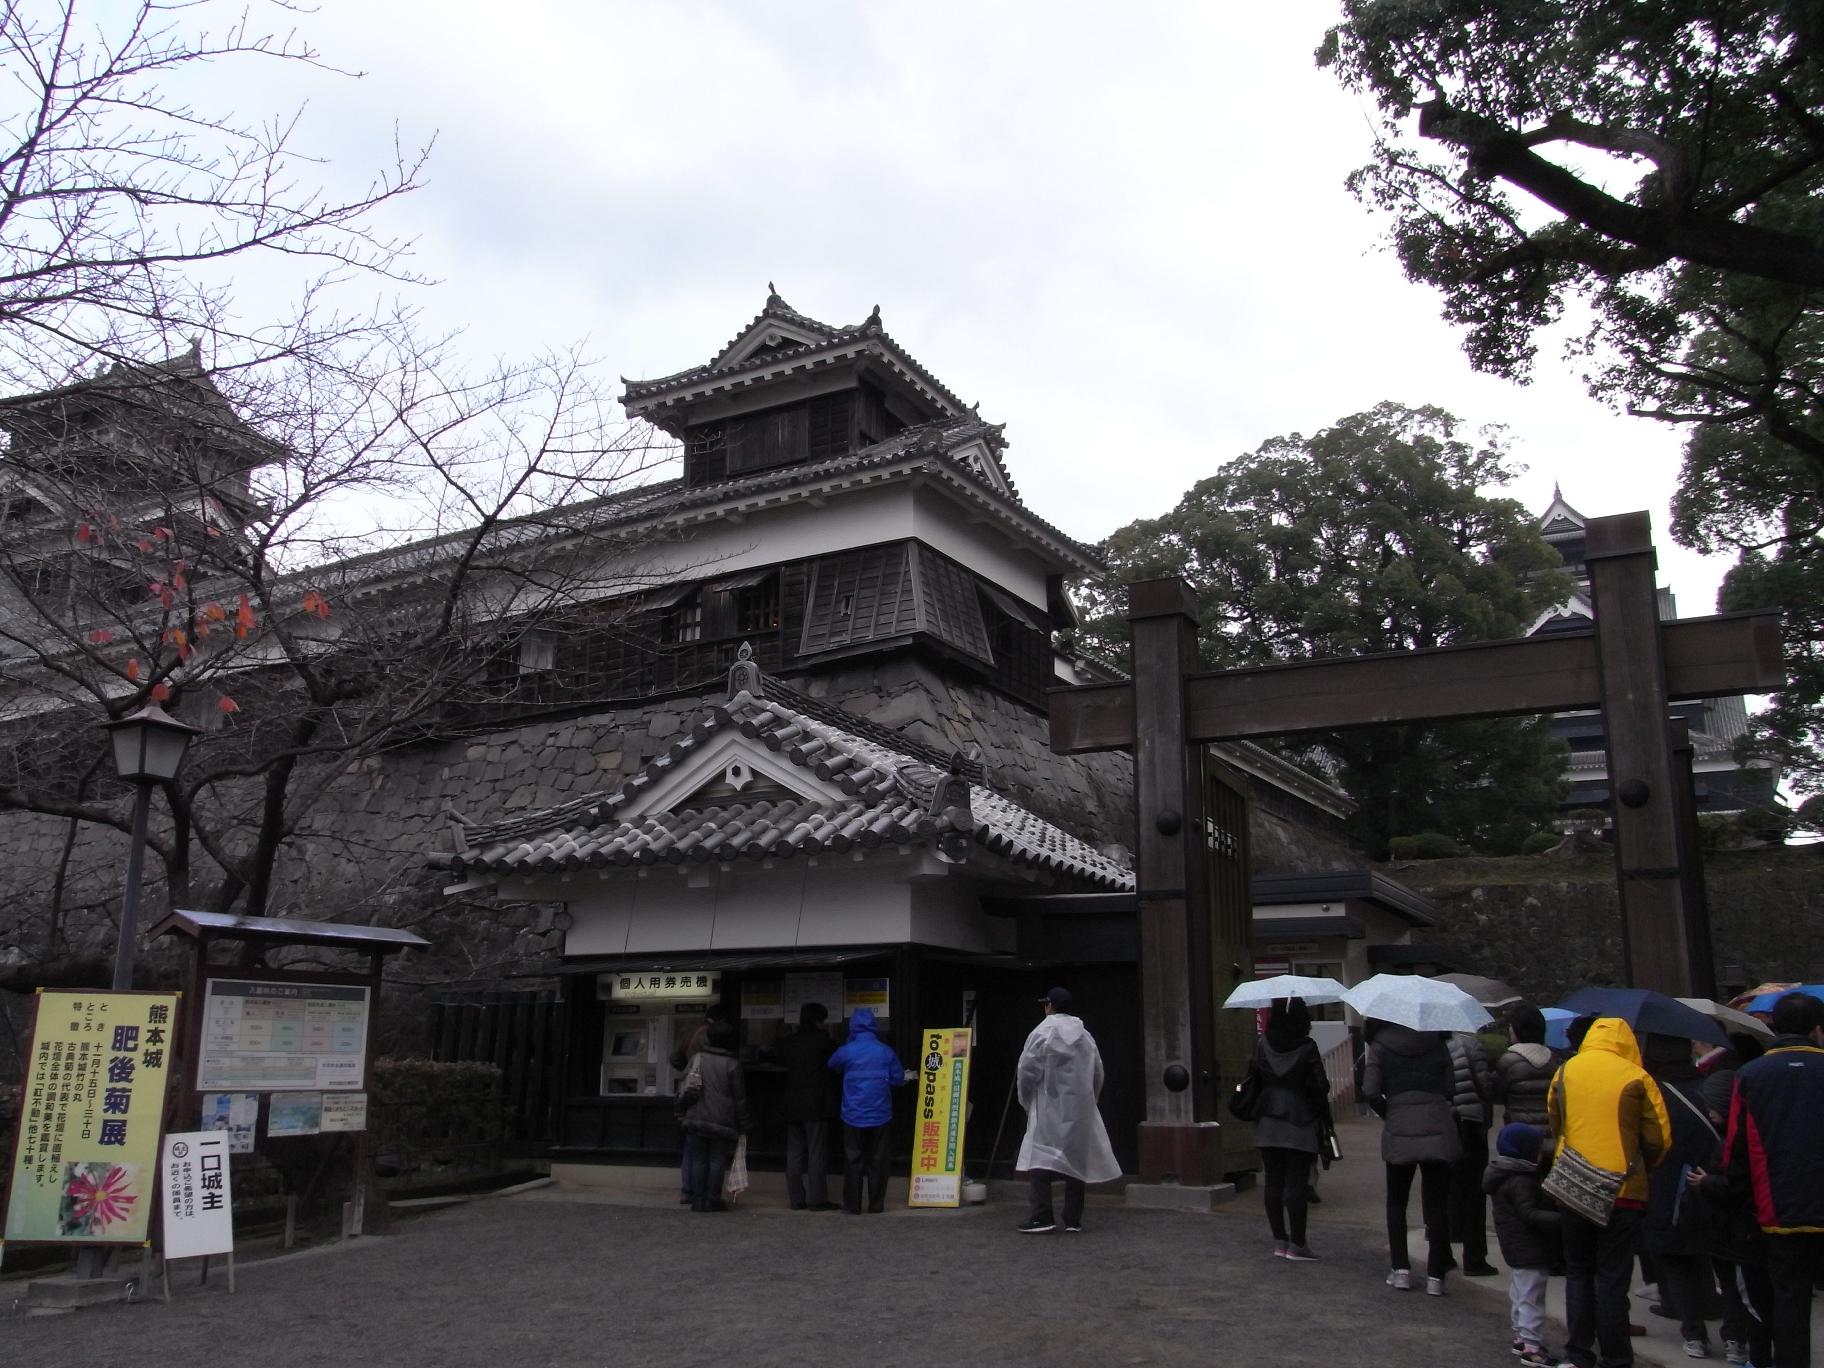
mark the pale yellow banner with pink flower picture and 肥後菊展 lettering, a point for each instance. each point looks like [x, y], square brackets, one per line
[87, 1141]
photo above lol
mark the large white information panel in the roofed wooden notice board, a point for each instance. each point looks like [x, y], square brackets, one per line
[264, 1037]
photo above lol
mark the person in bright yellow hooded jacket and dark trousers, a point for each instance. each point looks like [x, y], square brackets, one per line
[1606, 1106]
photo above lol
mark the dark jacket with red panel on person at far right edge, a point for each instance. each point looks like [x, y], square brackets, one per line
[1772, 1150]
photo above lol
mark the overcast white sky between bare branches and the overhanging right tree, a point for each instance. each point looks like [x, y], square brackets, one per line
[1123, 231]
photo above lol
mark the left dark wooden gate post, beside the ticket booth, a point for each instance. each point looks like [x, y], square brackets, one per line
[1179, 1139]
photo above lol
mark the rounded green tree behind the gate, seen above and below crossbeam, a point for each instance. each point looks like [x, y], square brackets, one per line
[1373, 535]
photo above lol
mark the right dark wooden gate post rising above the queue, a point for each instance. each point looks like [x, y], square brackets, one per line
[1657, 933]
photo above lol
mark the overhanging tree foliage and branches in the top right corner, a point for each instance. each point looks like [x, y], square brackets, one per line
[1663, 169]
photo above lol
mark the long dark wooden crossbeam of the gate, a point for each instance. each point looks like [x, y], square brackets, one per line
[1549, 674]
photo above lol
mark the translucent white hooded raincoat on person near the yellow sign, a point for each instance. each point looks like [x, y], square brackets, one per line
[1059, 1081]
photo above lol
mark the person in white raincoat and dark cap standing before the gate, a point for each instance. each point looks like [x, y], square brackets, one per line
[1061, 1077]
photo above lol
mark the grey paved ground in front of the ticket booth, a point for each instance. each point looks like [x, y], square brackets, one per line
[563, 1280]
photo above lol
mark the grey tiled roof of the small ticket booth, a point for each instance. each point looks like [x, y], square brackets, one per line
[886, 802]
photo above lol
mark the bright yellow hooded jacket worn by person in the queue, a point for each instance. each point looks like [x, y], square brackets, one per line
[1604, 1106]
